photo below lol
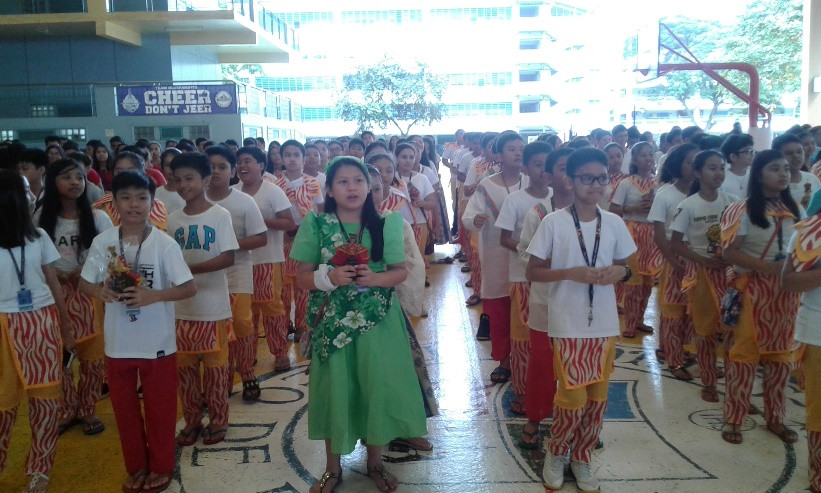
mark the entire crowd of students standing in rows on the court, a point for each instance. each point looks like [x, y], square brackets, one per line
[147, 264]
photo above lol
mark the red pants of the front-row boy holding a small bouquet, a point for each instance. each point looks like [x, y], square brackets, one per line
[147, 442]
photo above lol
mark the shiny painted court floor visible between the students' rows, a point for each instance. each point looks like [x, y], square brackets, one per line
[659, 436]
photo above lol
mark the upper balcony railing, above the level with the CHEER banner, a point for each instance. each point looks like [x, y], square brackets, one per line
[267, 20]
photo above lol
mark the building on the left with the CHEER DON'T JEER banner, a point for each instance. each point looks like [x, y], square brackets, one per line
[151, 69]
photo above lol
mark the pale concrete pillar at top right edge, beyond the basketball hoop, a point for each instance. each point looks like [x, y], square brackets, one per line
[811, 64]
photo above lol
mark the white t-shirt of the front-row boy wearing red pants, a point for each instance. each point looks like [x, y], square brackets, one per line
[162, 266]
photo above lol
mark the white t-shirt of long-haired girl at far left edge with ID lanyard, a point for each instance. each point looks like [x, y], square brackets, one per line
[39, 252]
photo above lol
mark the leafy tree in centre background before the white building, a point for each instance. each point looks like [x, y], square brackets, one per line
[390, 94]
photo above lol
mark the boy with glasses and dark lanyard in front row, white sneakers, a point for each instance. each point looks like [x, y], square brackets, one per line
[591, 247]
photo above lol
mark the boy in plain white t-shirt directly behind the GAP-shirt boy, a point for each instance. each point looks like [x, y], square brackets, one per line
[250, 230]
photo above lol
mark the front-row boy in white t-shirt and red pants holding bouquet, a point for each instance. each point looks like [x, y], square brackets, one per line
[140, 343]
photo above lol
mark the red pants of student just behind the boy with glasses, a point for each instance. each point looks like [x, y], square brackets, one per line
[541, 382]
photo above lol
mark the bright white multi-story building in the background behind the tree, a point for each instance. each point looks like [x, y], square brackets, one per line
[531, 65]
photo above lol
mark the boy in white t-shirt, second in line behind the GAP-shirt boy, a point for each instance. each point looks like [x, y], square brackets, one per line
[267, 261]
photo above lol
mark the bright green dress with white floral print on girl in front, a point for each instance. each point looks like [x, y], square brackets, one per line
[365, 387]
